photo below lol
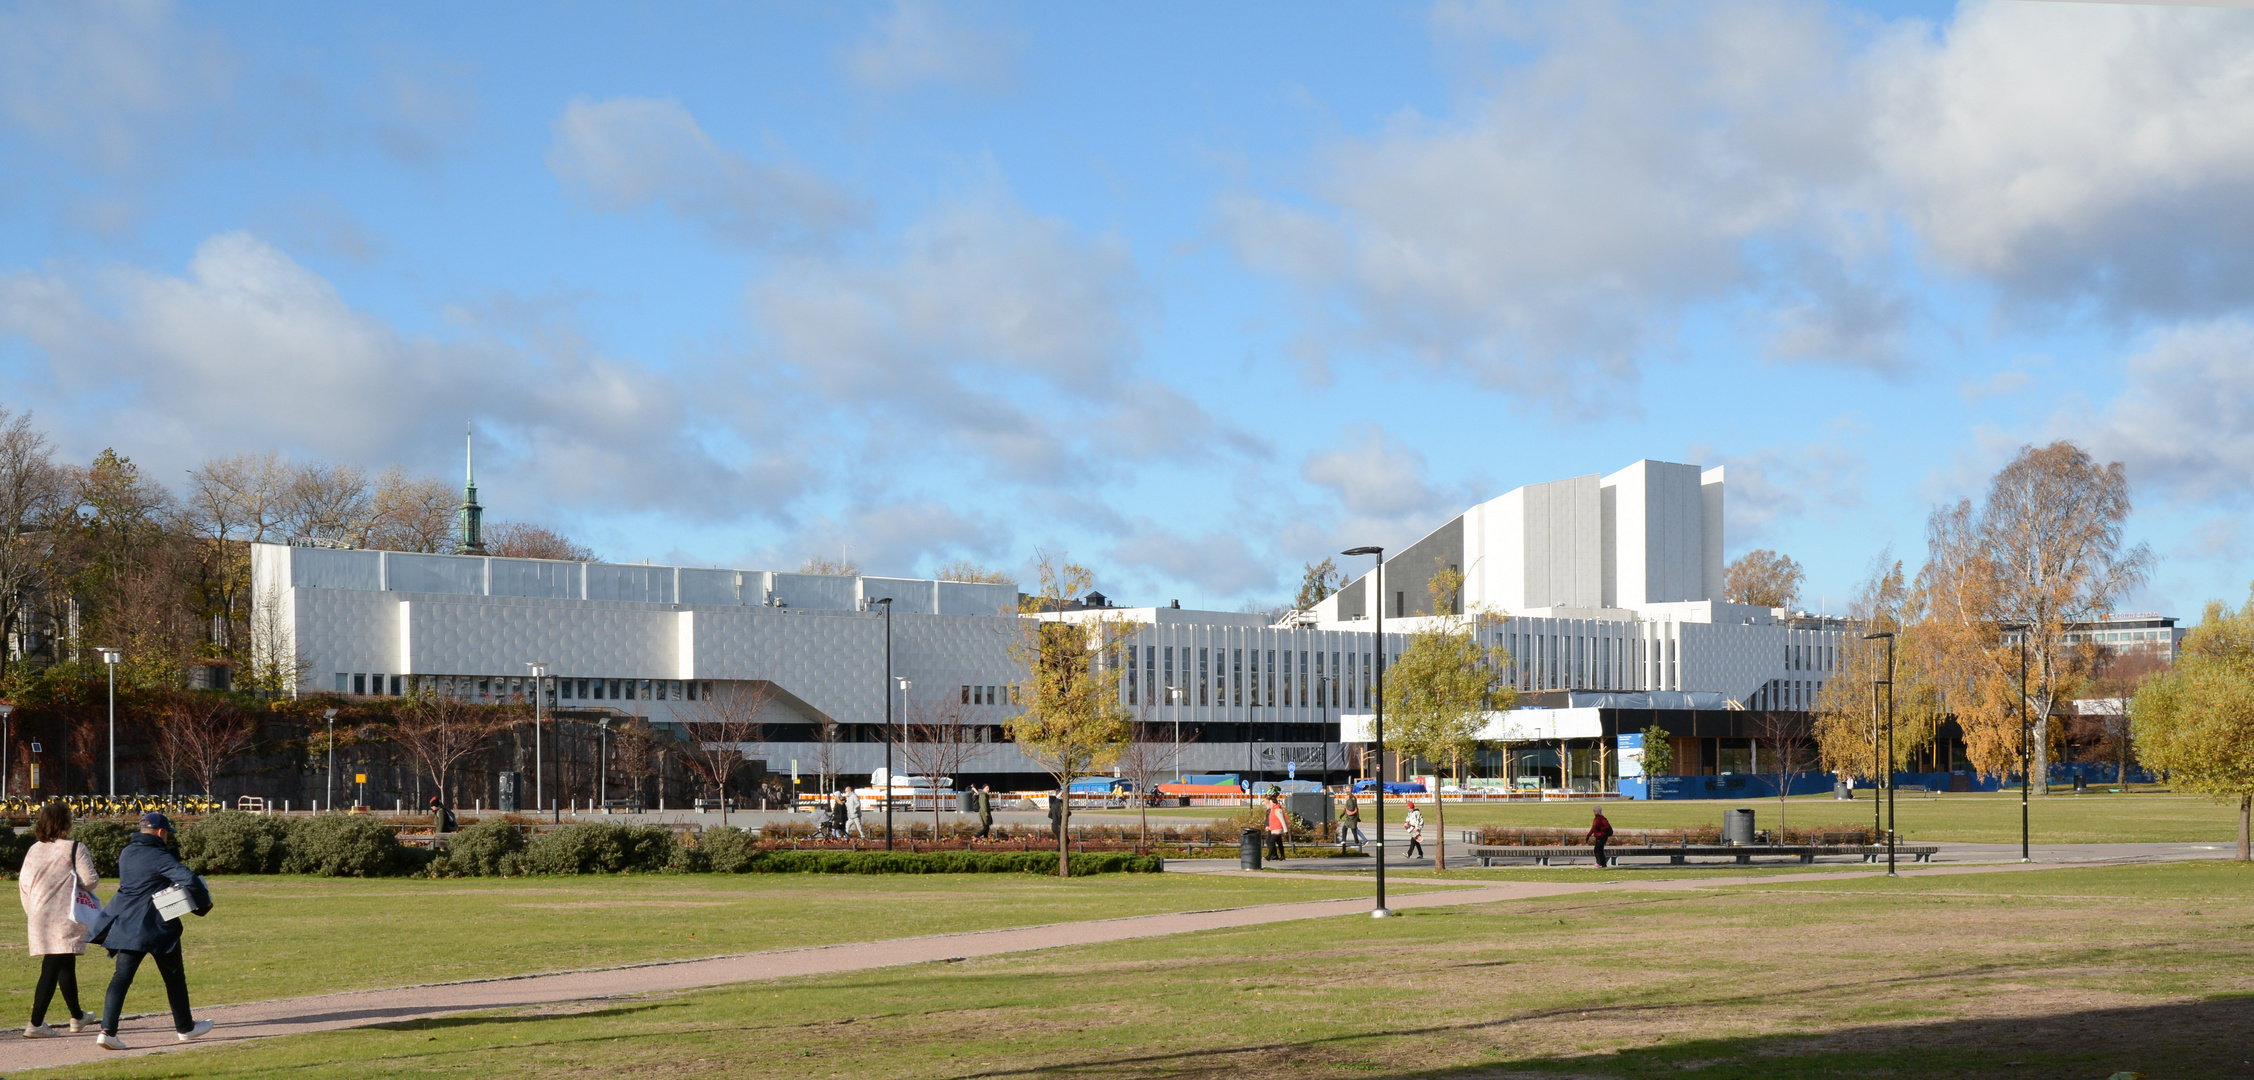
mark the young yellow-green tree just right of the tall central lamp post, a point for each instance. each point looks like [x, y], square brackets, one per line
[1441, 691]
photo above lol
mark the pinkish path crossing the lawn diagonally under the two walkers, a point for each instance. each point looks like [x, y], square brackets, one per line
[402, 1004]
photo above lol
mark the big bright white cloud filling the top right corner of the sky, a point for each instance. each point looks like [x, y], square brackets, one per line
[2077, 150]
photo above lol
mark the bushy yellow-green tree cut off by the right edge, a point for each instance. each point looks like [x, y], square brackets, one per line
[2197, 720]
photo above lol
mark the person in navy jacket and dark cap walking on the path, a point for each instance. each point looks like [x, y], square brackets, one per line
[132, 930]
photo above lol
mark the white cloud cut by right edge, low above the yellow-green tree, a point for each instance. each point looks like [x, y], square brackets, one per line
[2185, 421]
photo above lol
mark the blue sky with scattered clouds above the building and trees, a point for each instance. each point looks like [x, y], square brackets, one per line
[1189, 294]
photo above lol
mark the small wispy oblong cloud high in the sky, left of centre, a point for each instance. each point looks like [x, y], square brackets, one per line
[632, 152]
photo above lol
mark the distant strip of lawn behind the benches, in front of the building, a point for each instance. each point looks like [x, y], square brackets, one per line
[2095, 817]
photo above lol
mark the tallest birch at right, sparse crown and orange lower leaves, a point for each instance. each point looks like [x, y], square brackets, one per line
[2041, 551]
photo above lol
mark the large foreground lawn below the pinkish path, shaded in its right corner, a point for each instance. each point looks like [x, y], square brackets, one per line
[2142, 968]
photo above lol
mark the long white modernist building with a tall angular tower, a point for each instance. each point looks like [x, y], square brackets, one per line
[1608, 587]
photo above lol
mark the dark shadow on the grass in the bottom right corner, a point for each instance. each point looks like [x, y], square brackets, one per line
[2201, 1038]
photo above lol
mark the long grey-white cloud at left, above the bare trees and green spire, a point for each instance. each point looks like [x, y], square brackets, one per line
[251, 351]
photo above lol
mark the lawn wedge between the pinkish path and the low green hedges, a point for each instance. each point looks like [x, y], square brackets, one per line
[285, 937]
